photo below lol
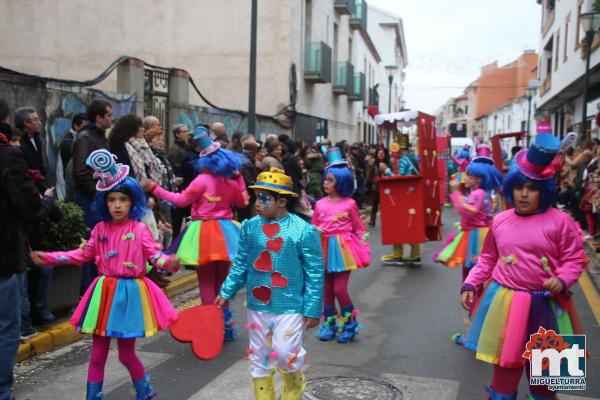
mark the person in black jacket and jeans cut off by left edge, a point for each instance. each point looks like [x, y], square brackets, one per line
[19, 203]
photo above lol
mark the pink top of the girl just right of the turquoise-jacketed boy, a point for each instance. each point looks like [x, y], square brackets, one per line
[338, 216]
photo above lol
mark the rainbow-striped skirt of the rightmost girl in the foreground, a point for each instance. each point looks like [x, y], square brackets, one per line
[504, 319]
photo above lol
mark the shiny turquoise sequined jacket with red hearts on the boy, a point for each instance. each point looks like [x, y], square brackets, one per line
[281, 264]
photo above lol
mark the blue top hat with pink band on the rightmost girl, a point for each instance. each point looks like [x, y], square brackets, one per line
[535, 162]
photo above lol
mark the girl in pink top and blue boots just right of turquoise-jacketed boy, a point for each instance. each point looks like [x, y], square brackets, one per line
[345, 246]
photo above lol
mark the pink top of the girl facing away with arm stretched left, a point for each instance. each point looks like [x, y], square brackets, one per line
[212, 197]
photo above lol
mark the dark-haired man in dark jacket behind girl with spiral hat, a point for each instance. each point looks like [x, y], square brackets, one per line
[92, 137]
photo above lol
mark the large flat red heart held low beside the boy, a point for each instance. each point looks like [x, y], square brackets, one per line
[203, 326]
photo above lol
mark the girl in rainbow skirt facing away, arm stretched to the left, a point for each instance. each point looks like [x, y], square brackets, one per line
[210, 242]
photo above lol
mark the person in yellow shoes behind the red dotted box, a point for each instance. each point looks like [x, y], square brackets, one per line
[407, 165]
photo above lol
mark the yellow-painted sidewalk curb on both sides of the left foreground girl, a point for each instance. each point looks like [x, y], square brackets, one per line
[64, 333]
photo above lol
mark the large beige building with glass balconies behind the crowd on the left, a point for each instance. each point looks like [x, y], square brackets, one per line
[315, 59]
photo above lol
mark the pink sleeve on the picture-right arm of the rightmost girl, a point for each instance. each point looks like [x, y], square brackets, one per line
[572, 255]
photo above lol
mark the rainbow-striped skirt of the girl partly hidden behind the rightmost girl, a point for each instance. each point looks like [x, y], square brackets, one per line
[464, 249]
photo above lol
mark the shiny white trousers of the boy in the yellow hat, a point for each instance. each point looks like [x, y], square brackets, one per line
[275, 342]
